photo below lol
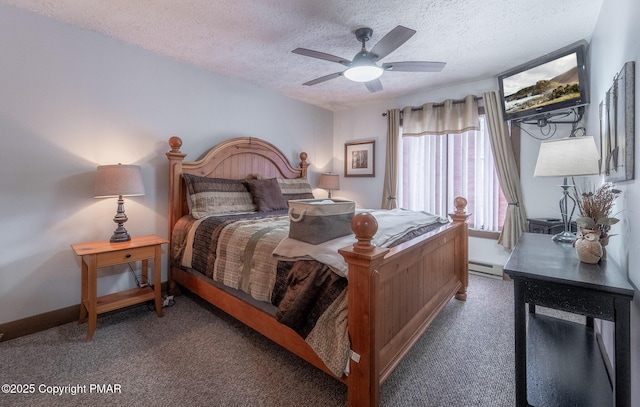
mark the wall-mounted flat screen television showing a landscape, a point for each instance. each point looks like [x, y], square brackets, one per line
[554, 82]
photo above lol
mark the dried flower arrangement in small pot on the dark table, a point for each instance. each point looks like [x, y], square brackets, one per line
[595, 219]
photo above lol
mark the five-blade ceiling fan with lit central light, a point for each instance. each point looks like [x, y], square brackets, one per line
[363, 67]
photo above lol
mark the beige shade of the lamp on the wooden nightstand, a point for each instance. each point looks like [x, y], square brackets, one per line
[116, 180]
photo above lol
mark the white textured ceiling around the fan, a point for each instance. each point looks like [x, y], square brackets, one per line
[252, 40]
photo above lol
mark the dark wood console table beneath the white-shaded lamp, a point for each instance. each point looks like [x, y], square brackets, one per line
[549, 274]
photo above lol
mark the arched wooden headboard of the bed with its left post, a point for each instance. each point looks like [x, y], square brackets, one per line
[237, 158]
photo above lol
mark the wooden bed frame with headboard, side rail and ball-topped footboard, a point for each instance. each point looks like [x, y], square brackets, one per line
[393, 294]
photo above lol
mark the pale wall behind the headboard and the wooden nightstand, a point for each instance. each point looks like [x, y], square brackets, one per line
[73, 99]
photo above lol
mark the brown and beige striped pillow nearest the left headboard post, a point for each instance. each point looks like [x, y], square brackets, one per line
[213, 196]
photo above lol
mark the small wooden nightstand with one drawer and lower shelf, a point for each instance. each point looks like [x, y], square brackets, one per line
[103, 253]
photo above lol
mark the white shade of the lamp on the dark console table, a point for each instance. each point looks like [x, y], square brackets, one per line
[568, 157]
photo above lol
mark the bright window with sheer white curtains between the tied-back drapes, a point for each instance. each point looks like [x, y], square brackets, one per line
[435, 169]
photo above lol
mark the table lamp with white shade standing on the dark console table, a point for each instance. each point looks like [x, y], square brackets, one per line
[567, 157]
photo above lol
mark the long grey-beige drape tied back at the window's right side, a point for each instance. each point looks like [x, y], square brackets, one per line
[515, 222]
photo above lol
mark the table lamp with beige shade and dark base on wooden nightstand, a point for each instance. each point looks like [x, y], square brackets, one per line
[118, 181]
